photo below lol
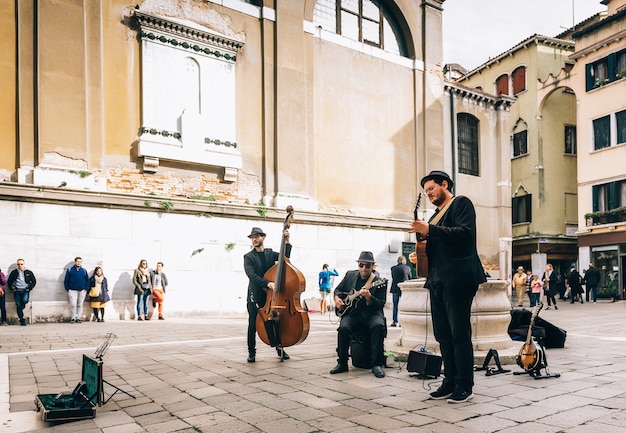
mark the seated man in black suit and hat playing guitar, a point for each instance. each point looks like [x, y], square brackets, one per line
[365, 313]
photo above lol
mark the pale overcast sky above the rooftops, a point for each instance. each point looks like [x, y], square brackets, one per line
[476, 30]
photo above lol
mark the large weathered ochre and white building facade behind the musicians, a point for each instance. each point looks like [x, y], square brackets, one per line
[166, 129]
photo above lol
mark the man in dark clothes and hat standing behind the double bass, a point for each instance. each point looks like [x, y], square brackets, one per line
[256, 263]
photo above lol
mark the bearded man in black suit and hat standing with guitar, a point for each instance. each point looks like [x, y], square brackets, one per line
[454, 273]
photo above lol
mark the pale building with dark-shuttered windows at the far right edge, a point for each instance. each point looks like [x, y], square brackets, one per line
[600, 84]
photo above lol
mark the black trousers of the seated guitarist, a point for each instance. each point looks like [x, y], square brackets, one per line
[374, 325]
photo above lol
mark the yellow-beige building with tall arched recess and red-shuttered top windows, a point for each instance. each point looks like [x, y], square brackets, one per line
[541, 148]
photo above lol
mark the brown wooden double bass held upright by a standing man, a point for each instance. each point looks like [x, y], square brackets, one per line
[282, 322]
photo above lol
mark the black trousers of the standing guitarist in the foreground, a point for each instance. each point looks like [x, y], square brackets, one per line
[450, 307]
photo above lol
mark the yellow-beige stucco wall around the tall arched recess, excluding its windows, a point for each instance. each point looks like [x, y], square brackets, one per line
[543, 109]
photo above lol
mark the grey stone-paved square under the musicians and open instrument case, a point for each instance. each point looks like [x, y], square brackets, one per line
[191, 375]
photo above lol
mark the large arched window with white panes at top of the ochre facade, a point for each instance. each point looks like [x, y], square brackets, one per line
[367, 21]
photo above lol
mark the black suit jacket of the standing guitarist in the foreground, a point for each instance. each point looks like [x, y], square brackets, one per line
[451, 248]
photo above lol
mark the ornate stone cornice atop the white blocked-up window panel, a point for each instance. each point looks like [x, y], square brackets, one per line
[183, 36]
